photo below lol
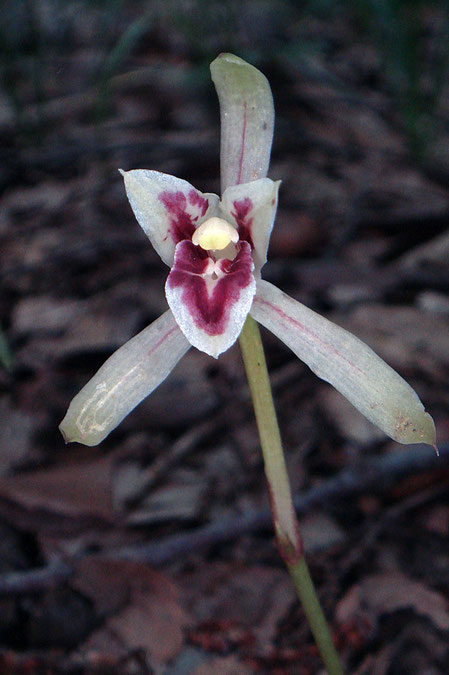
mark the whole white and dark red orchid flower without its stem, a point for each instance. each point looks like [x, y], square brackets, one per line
[216, 249]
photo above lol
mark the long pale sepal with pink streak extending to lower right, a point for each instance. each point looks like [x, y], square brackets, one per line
[348, 364]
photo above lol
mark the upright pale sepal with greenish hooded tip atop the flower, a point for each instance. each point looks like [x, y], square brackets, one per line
[247, 120]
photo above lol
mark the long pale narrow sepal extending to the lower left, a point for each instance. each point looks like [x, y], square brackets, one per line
[127, 377]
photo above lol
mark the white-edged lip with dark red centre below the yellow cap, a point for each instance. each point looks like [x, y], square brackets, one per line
[210, 312]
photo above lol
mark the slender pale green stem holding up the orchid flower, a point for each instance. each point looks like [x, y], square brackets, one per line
[284, 516]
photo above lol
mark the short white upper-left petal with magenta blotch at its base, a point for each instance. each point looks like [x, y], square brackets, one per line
[167, 208]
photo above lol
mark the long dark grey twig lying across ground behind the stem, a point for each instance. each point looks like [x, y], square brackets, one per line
[378, 475]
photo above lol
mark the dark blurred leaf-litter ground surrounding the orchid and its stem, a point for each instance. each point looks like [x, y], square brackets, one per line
[153, 553]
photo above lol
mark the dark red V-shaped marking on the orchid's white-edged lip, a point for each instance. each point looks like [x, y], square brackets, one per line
[210, 303]
